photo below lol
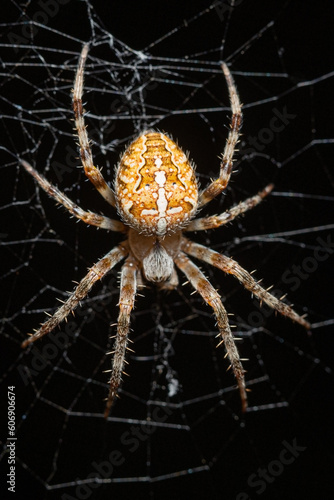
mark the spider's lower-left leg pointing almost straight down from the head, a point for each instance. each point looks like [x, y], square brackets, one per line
[126, 303]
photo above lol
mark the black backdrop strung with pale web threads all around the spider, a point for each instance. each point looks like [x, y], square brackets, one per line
[177, 429]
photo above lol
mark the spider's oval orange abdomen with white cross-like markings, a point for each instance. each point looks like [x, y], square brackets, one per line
[156, 188]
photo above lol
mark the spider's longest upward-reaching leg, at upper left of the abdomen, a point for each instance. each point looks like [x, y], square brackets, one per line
[93, 173]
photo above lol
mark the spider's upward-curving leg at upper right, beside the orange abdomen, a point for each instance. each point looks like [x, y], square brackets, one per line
[218, 185]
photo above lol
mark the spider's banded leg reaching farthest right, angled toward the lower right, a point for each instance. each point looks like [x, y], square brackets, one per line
[230, 266]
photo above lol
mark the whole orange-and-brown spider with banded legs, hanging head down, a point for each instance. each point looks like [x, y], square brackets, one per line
[157, 198]
